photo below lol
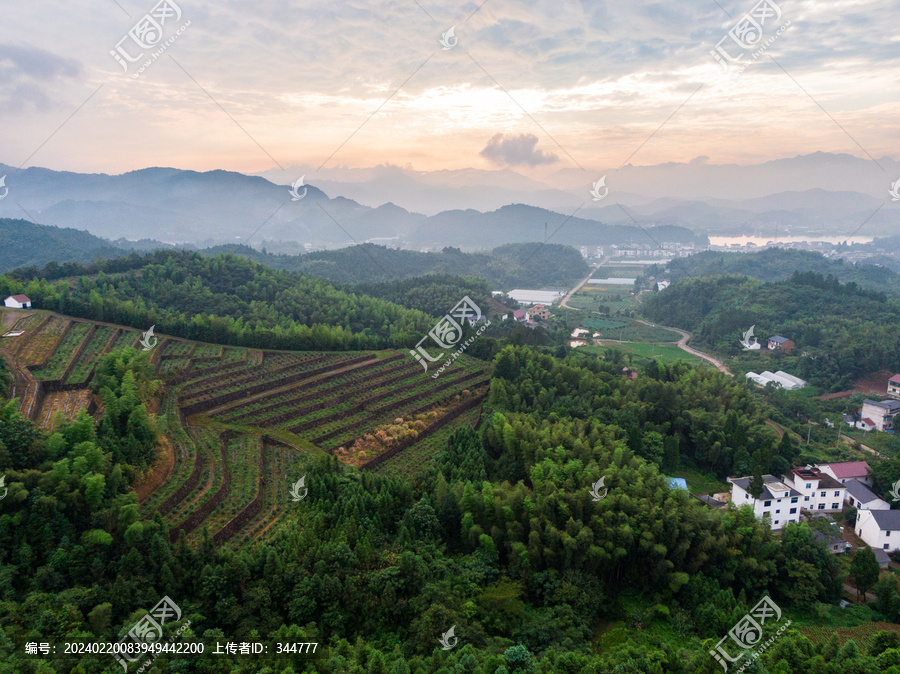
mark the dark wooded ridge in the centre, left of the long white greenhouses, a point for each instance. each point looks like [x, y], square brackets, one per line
[516, 264]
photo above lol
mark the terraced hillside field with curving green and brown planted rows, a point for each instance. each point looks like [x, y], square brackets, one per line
[241, 424]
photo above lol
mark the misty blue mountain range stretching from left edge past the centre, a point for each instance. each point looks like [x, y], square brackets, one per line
[218, 207]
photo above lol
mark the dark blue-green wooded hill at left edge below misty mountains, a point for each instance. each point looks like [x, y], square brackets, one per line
[24, 244]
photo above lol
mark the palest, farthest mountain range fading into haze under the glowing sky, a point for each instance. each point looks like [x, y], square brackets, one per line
[817, 194]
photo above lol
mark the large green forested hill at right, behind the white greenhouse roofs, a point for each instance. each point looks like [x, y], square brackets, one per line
[841, 331]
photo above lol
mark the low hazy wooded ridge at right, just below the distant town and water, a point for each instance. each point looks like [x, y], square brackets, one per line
[778, 264]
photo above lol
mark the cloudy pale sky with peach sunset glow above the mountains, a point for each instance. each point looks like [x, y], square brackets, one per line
[587, 83]
